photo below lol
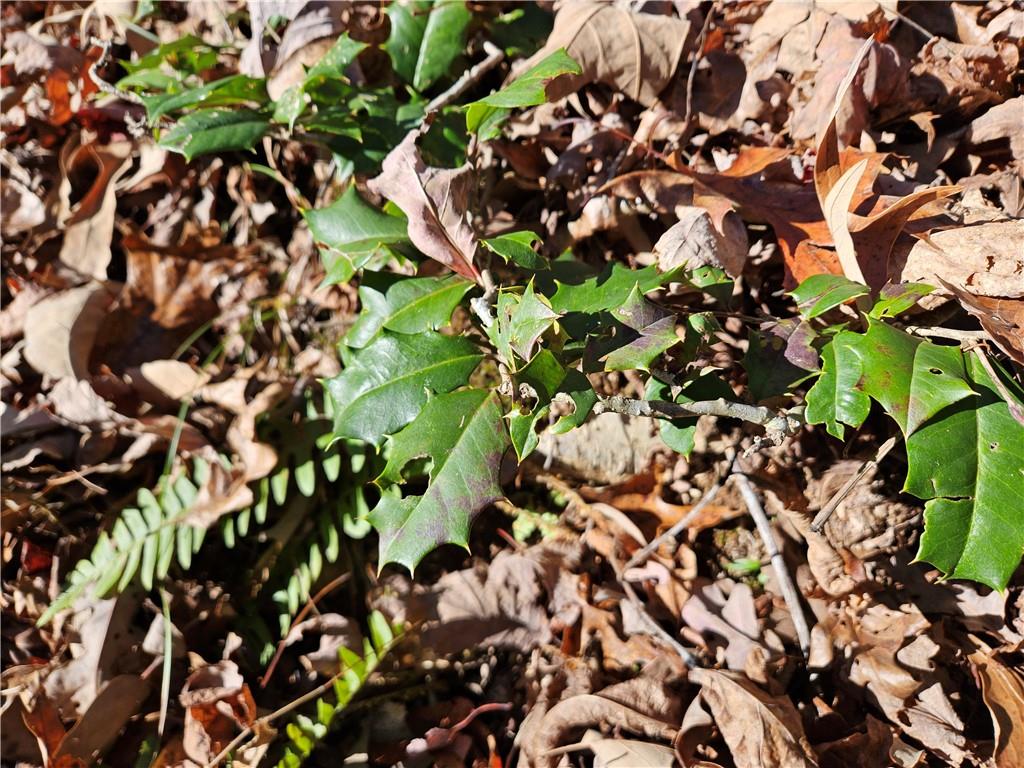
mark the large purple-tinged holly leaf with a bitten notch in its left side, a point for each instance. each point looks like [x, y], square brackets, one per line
[464, 434]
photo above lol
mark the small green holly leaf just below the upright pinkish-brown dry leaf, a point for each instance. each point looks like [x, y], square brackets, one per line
[409, 307]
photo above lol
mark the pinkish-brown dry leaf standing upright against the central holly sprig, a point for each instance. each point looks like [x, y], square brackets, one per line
[437, 202]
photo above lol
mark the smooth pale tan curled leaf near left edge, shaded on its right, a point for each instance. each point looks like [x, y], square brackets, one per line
[61, 330]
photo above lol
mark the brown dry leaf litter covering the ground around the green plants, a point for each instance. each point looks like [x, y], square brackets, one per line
[164, 324]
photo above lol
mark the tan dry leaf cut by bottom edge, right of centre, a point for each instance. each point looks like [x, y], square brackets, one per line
[760, 730]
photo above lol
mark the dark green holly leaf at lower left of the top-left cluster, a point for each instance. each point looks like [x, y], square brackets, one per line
[208, 132]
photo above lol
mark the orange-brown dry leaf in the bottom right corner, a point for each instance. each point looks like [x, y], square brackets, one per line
[1003, 692]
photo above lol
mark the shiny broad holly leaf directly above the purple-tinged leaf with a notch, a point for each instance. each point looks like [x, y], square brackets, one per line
[385, 386]
